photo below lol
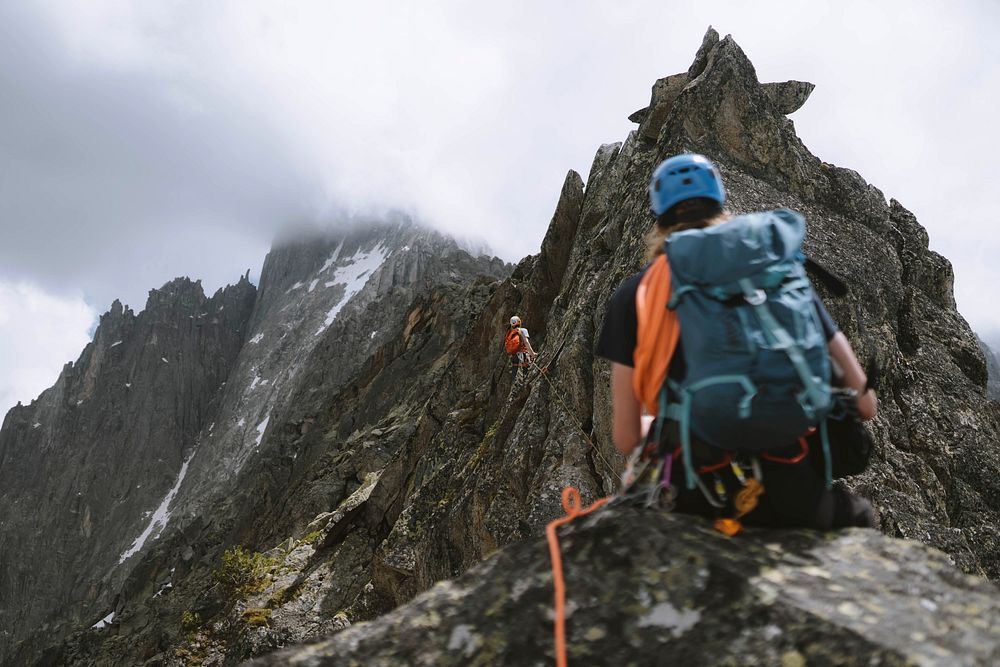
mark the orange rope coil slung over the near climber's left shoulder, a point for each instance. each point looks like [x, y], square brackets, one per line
[657, 332]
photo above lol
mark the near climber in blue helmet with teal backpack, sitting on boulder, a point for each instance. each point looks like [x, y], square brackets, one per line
[722, 338]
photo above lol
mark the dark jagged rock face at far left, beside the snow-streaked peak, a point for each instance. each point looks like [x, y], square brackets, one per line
[84, 467]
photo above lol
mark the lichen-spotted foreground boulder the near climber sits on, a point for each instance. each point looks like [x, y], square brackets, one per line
[645, 587]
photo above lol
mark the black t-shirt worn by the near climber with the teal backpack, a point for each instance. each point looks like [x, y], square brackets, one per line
[617, 341]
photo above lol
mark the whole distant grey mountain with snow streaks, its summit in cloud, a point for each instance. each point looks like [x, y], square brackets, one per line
[154, 445]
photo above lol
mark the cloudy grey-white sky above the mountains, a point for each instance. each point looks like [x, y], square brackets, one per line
[141, 141]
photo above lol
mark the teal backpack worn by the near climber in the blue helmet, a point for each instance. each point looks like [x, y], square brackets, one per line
[758, 369]
